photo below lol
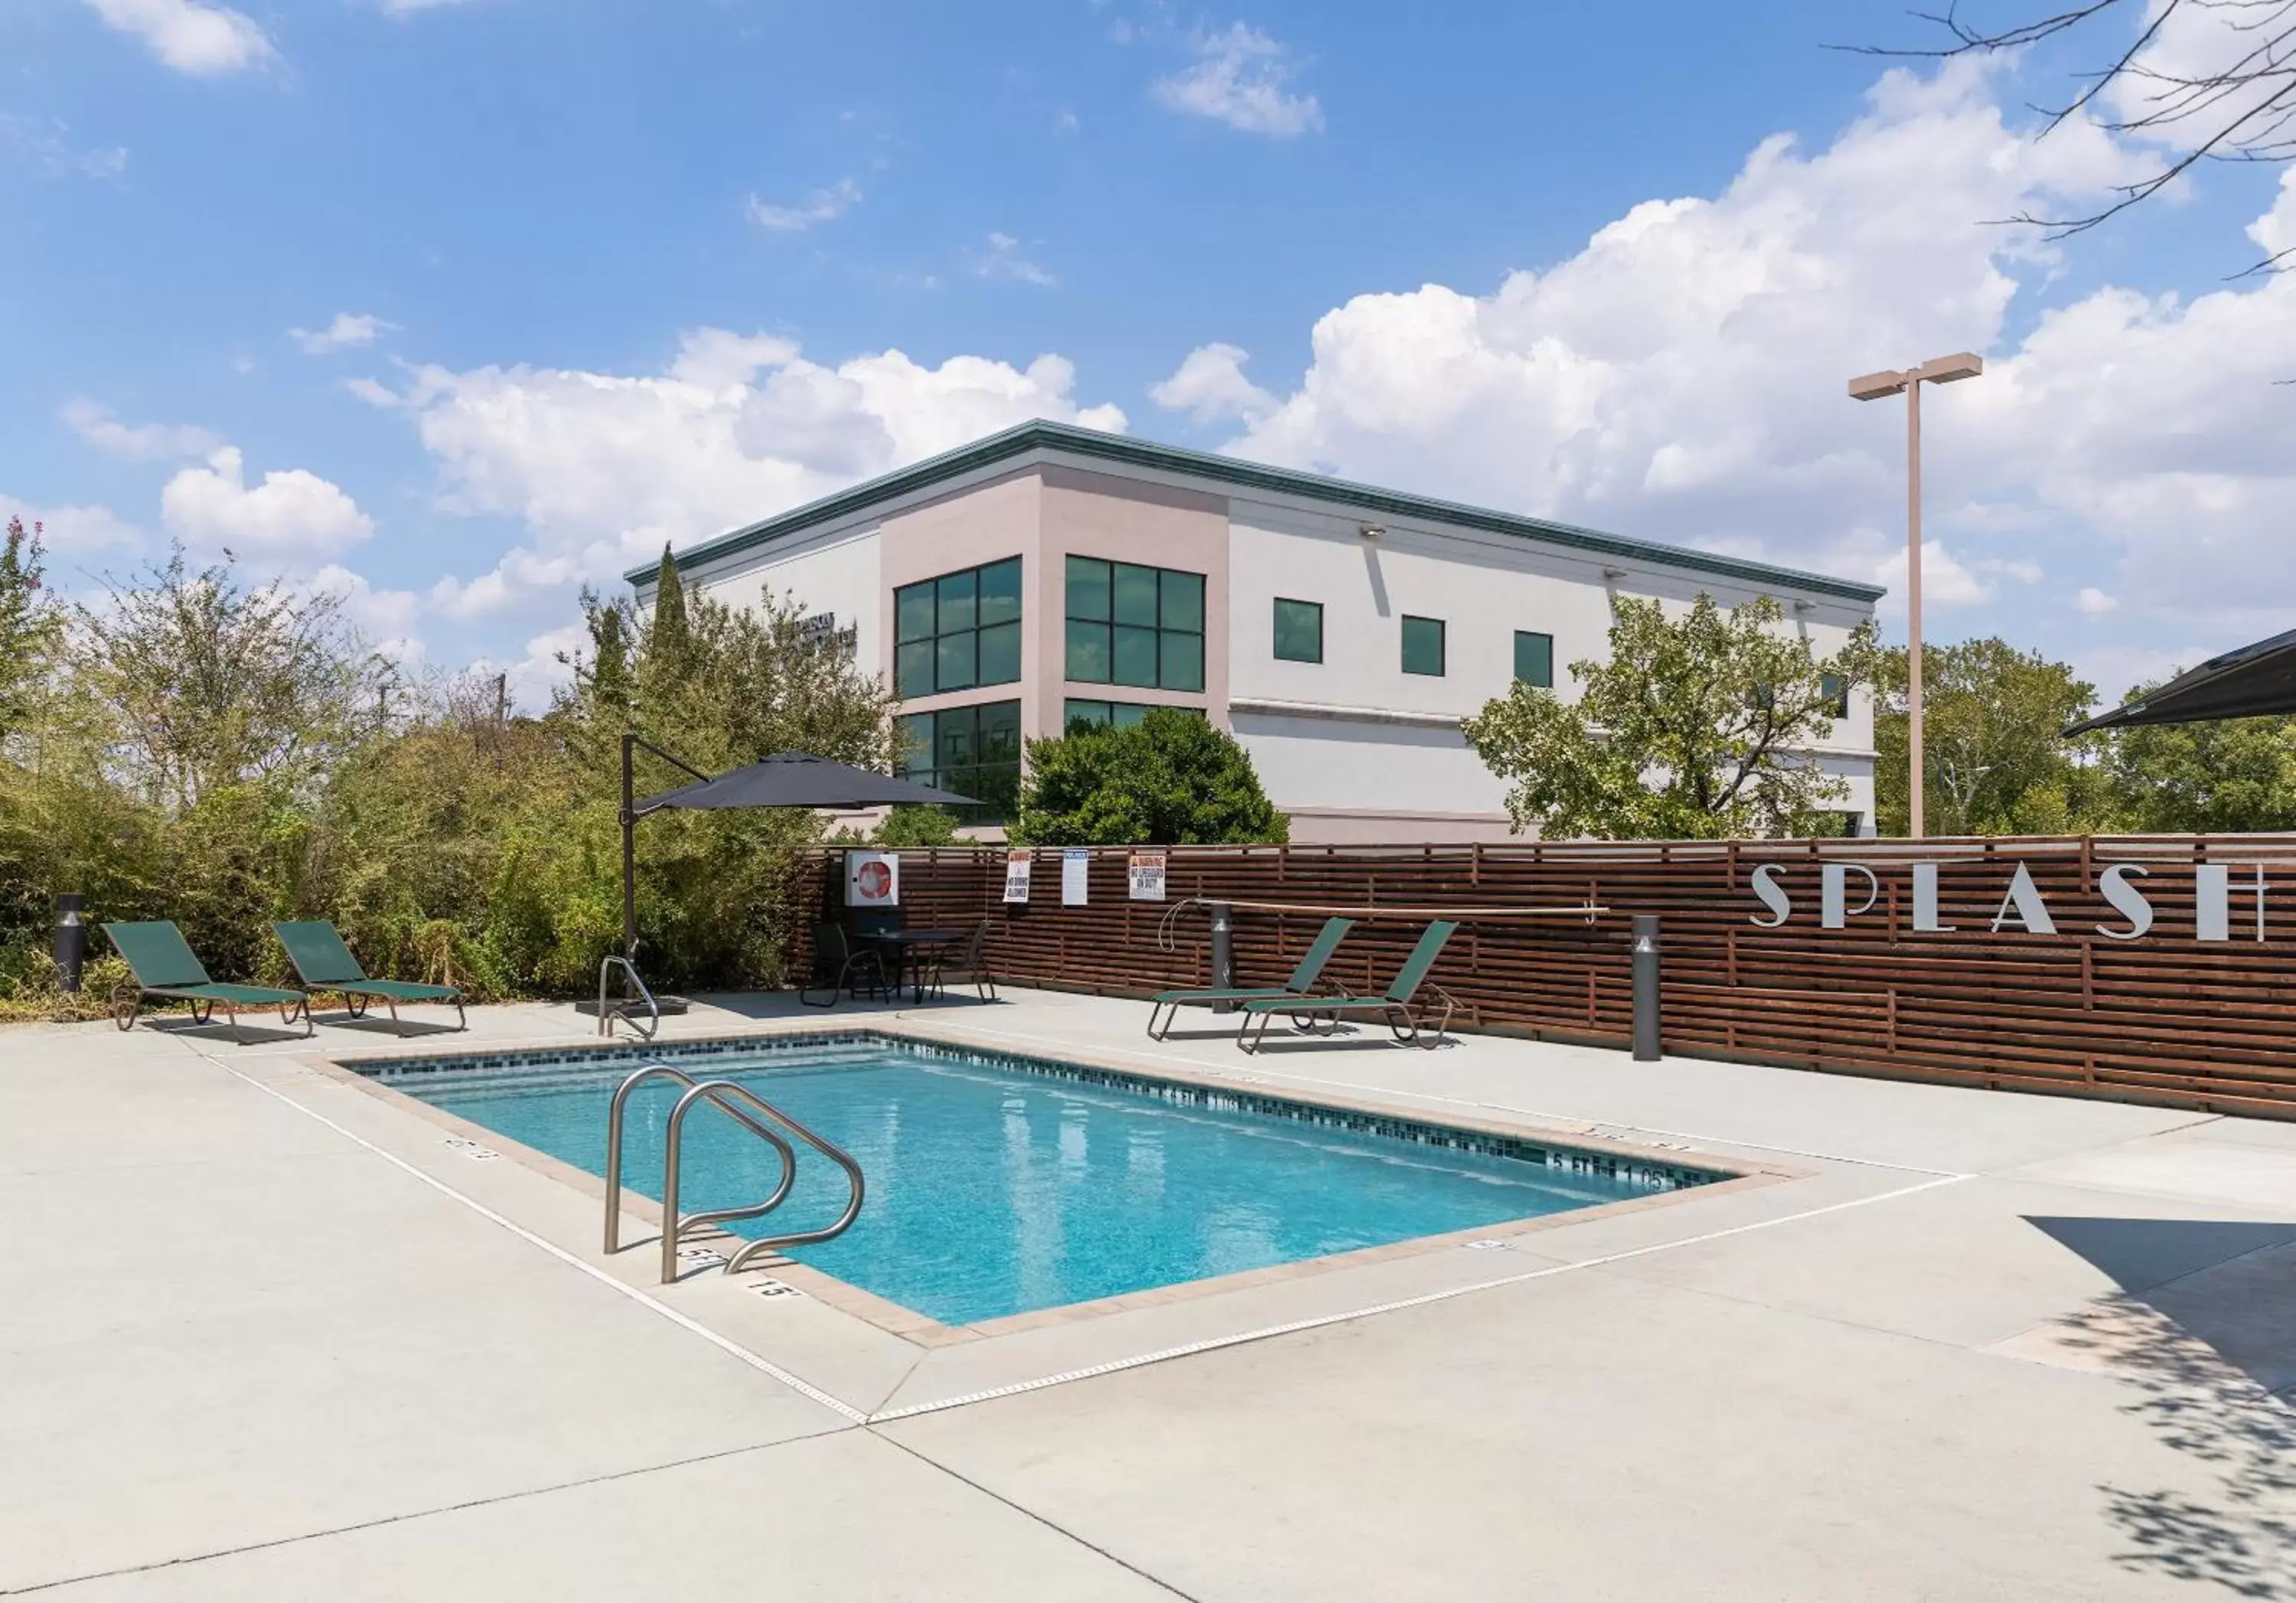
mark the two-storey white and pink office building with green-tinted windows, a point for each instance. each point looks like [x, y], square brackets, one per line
[1342, 633]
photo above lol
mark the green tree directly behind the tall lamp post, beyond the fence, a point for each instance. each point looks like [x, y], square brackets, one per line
[1992, 757]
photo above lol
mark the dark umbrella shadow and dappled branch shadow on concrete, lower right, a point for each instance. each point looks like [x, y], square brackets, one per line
[2205, 1335]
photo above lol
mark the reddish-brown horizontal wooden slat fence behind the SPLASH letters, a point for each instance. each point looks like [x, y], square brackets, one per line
[2166, 1019]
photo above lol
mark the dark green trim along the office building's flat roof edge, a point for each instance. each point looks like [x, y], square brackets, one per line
[1122, 449]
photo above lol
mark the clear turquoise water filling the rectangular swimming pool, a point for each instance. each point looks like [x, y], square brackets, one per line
[1000, 1191]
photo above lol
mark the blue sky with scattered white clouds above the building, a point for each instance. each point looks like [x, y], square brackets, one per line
[458, 304]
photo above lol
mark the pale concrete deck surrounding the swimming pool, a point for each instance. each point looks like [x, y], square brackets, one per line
[272, 1335]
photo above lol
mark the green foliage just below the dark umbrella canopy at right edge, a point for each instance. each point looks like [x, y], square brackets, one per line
[2214, 777]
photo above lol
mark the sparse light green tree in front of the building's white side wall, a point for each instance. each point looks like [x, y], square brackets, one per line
[1698, 727]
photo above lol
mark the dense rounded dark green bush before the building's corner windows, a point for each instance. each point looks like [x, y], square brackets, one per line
[1170, 780]
